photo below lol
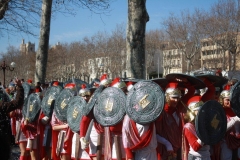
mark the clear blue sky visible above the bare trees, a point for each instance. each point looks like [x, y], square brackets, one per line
[67, 29]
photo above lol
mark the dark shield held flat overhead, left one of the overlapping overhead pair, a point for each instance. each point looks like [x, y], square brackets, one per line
[182, 79]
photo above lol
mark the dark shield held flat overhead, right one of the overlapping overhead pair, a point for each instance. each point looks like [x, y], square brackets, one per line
[217, 80]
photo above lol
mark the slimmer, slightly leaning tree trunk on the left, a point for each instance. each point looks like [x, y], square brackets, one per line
[42, 53]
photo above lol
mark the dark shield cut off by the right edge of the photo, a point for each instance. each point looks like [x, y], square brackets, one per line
[235, 98]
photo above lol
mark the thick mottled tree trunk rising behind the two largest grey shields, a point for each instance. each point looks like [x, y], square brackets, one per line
[135, 43]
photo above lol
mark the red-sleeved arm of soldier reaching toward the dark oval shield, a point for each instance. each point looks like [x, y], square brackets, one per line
[193, 141]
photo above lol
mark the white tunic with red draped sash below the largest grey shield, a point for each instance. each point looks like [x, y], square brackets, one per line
[139, 141]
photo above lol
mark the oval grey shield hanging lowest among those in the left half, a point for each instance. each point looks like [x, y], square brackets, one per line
[75, 112]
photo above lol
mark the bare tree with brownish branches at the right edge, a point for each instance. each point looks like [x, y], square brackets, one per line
[221, 26]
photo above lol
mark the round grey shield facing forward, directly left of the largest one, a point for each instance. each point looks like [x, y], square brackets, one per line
[110, 106]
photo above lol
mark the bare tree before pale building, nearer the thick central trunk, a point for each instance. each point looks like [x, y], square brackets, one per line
[185, 34]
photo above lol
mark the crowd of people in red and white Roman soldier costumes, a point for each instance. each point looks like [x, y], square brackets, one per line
[171, 136]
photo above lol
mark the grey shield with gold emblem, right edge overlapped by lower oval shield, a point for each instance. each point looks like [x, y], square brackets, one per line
[61, 104]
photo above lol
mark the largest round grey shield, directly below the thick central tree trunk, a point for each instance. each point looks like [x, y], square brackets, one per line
[145, 102]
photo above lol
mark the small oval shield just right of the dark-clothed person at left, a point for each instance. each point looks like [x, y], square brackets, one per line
[32, 107]
